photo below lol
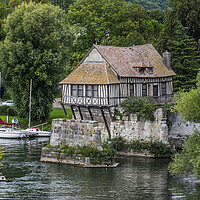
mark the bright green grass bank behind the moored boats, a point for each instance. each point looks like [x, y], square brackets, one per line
[55, 113]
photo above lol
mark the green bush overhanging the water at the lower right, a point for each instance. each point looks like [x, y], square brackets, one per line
[189, 160]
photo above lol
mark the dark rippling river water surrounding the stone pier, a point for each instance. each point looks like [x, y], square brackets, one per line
[134, 178]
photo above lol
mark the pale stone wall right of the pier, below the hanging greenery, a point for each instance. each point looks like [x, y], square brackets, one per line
[134, 129]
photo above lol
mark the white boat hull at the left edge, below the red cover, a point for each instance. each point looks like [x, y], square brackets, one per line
[11, 133]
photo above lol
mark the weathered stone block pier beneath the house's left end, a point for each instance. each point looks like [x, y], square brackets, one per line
[75, 132]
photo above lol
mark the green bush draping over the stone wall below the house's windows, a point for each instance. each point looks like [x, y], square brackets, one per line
[142, 107]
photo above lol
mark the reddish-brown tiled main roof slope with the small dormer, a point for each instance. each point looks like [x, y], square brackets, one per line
[125, 60]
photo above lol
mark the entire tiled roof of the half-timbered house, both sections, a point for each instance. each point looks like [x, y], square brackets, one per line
[114, 62]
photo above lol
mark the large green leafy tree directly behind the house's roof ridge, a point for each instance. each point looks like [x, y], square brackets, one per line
[110, 22]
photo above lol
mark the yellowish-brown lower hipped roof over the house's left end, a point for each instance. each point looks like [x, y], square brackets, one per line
[91, 73]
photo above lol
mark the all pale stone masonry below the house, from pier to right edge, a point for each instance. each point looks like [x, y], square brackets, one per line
[86, 132]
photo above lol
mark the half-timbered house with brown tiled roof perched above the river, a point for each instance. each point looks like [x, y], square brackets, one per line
[108, 74]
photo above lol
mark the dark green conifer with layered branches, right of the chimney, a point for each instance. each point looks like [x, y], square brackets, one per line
[185, 59]
